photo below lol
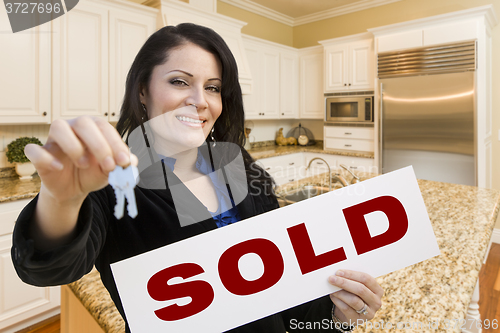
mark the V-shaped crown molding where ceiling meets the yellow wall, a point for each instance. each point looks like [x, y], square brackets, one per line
[256, 8]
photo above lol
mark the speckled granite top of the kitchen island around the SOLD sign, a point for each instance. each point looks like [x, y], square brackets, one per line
[437, 290]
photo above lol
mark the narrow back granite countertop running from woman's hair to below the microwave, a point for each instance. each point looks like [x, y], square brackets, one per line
[271, 151]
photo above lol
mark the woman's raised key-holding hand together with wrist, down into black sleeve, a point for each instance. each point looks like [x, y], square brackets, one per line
[76, 160]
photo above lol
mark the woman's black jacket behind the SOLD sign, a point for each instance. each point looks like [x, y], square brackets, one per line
[102, 240]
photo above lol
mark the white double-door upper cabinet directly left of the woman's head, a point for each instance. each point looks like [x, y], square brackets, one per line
[93, 48]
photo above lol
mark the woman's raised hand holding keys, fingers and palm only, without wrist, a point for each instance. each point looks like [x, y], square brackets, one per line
[77, 157]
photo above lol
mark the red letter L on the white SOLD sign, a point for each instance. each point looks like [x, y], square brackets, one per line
[304, 251]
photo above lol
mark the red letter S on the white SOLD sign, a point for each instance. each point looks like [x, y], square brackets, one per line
[201, 292]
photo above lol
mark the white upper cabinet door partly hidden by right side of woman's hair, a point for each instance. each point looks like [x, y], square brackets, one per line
[252, 102]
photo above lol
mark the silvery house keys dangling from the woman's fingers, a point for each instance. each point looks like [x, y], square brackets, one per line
[123, 181]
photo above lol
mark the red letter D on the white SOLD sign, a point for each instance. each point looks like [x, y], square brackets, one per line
[355, 218]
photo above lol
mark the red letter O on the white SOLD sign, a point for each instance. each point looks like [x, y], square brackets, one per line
[230, 274]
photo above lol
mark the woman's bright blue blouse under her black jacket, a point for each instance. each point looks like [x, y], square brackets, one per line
[227, 212]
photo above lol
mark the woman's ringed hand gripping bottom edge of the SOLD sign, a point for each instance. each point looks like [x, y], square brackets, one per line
[358, 289]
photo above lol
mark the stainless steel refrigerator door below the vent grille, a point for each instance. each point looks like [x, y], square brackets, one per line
[428, 121]
